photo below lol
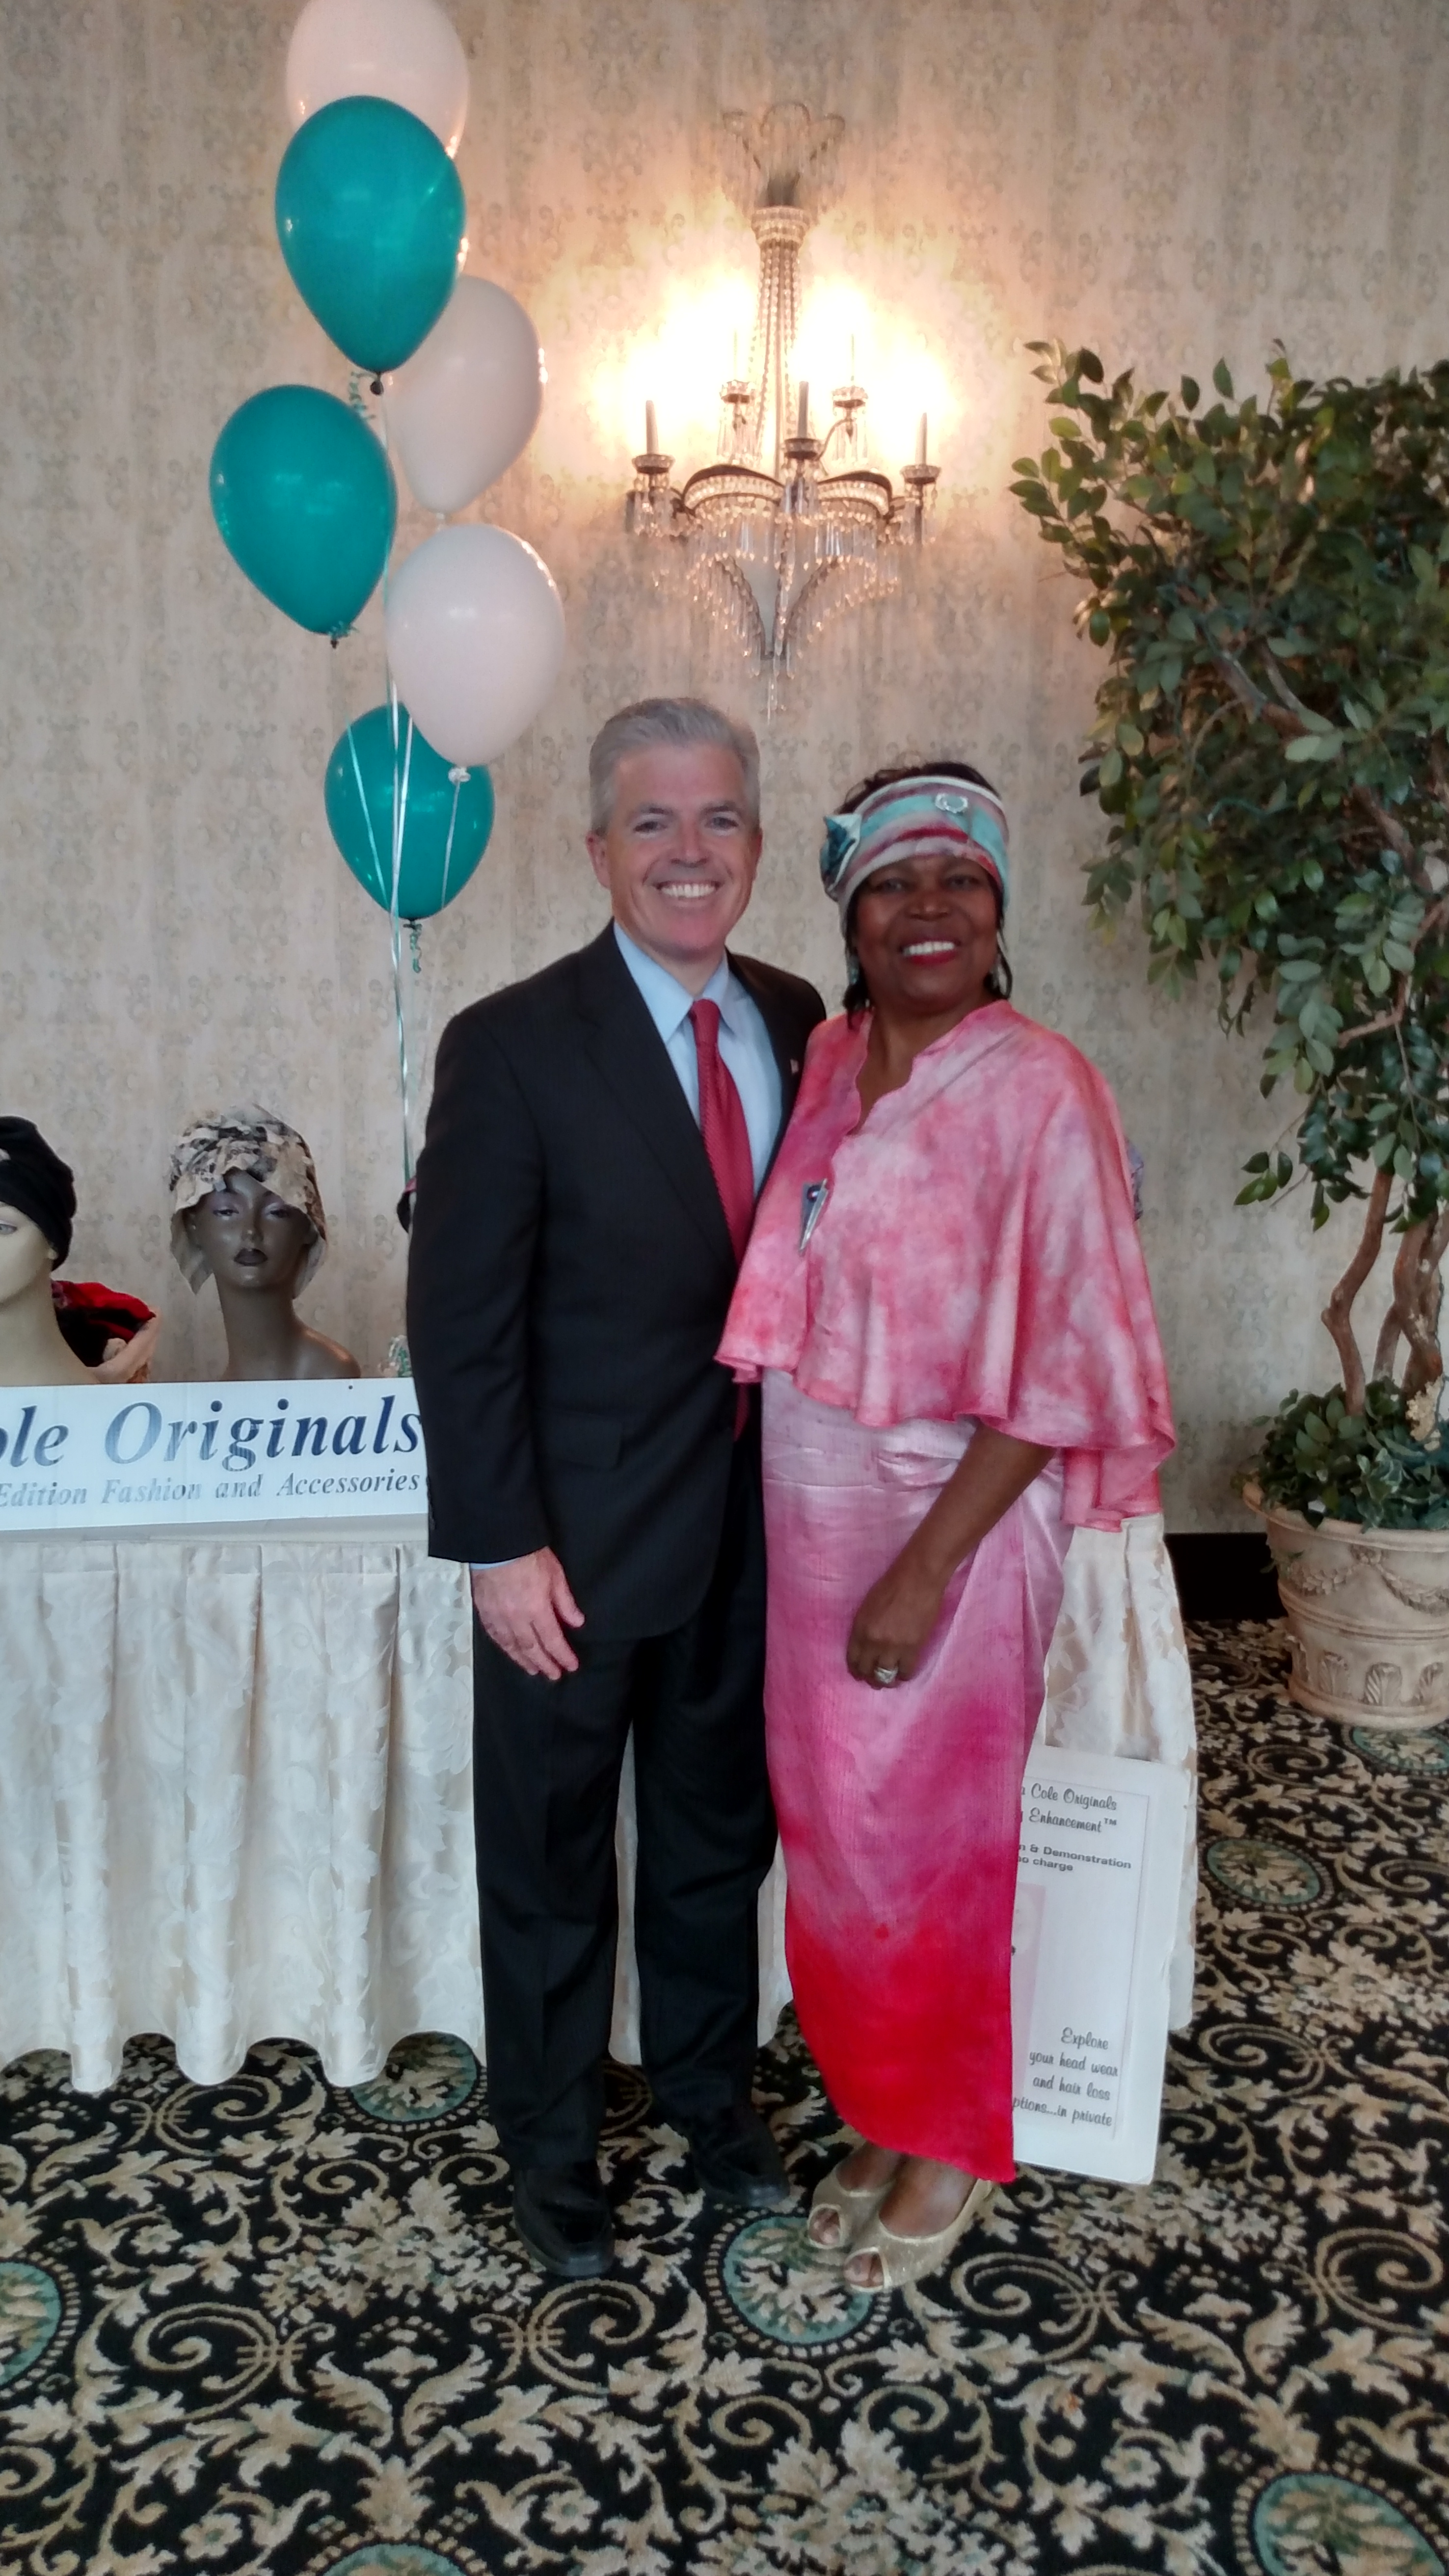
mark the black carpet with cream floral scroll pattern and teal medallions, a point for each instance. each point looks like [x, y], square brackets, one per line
[282, 2327]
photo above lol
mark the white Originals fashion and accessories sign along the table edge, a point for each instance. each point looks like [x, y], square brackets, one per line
[210, 1457]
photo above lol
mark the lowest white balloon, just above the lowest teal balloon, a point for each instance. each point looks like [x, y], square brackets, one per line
[476, 635]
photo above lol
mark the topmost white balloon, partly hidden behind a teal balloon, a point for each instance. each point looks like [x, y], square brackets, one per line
[406, 50]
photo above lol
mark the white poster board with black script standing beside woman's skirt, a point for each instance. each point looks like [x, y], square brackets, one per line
[1097, 1915]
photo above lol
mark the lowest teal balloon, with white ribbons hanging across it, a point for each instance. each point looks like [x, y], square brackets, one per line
[367, 779]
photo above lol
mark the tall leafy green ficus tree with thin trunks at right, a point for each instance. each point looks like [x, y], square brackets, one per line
[1272, 748]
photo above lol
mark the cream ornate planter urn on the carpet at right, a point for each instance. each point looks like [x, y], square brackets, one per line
[1368, 1619]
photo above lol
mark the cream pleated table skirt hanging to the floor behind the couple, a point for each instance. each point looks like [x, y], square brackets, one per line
[236, 1786]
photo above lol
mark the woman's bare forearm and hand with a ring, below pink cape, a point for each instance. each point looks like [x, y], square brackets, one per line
[896, 1619]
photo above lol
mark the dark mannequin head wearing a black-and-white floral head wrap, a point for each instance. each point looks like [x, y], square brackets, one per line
[249, 1215]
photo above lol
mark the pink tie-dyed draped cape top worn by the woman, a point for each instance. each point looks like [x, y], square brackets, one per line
[976, 1258]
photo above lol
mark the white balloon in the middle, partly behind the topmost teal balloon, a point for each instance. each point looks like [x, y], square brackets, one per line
[468, 401]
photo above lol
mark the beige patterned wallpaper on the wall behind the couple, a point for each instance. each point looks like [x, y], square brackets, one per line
[1169, 182]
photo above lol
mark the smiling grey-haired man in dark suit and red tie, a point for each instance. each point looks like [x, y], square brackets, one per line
[584, 1197]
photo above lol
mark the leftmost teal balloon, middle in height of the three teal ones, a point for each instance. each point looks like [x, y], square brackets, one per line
[306, 501]
